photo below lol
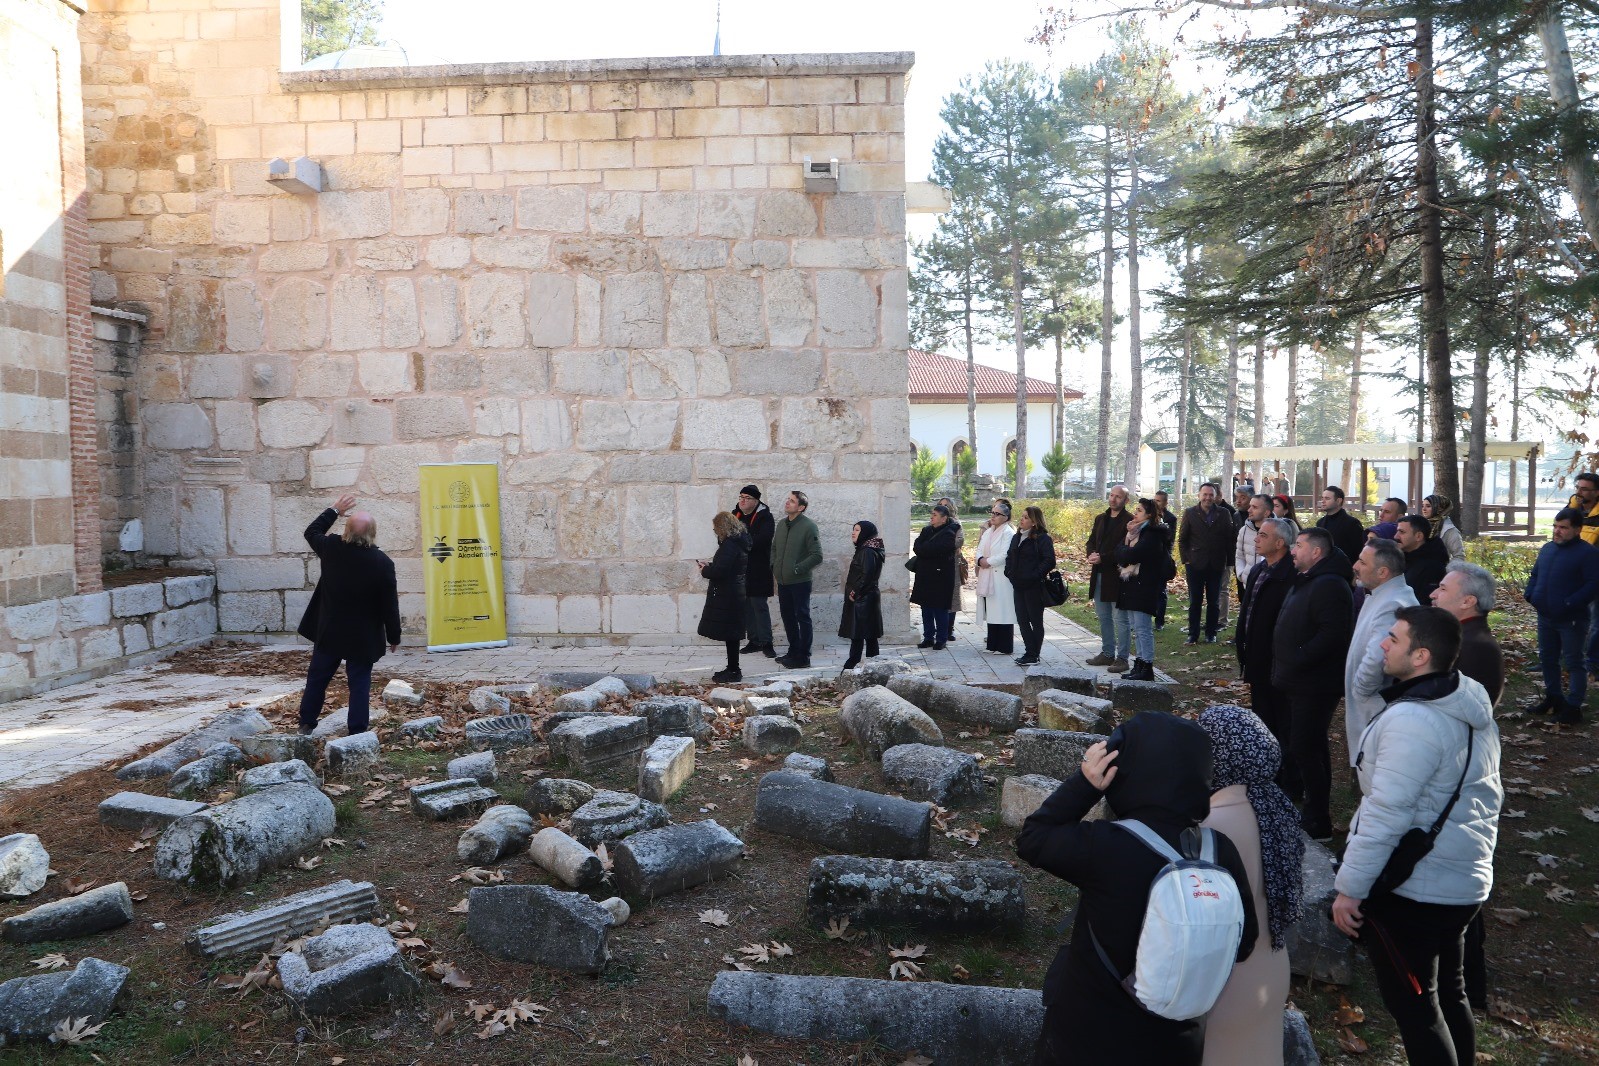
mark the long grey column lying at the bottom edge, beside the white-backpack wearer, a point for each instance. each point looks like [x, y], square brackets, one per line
[951, 1024]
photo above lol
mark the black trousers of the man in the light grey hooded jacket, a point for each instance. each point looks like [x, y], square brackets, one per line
[1418, 952]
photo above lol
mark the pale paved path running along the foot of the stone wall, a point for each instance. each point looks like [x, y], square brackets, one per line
[57, 734]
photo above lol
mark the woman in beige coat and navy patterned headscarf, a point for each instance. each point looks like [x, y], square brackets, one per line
[1246, 1024]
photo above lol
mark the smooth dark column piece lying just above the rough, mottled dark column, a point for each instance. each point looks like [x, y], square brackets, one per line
[842, 819]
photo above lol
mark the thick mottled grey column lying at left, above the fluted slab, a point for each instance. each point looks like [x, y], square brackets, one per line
[234, 843]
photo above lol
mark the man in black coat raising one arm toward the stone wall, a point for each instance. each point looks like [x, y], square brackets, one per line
[351, 616]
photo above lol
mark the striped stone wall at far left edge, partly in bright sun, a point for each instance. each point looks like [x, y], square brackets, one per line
[39, 74]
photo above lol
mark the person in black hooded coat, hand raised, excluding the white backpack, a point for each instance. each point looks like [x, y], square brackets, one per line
[1157, 770]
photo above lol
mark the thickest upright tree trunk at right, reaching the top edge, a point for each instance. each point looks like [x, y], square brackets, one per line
[1435, 308]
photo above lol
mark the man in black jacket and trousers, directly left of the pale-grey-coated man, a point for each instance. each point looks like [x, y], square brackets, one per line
[1307, 662]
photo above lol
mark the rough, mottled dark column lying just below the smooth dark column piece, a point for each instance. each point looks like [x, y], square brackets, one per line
[923, 896]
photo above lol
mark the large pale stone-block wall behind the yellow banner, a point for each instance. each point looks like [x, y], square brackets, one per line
[607, 277]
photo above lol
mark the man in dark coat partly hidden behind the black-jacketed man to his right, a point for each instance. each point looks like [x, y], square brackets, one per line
[1266, 587]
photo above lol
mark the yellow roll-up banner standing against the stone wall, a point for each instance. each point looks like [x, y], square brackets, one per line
[461, 549]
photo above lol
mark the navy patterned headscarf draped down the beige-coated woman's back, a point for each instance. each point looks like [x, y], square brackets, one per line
[1245, 754]
